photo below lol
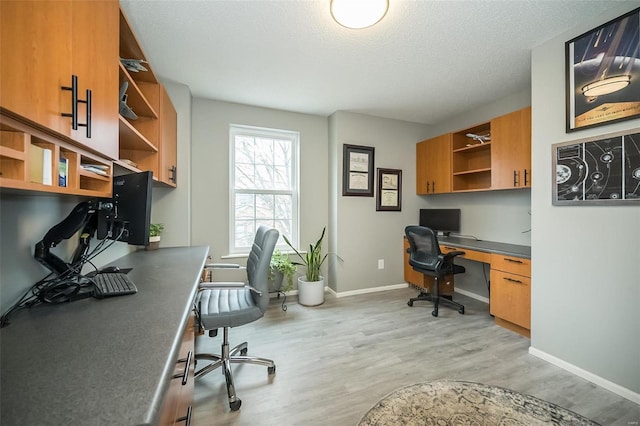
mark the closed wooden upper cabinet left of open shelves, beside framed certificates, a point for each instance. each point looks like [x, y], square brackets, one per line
[433, 165]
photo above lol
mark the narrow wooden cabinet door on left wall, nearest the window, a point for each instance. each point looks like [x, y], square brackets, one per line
[168, 139]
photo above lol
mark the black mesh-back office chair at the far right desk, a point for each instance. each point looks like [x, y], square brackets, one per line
[425, 257]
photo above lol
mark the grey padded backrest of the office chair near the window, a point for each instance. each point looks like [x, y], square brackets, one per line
[258, 264]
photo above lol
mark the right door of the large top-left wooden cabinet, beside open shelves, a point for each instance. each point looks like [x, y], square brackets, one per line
[95, 62]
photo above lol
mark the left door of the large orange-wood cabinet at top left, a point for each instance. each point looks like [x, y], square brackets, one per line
[36, 61]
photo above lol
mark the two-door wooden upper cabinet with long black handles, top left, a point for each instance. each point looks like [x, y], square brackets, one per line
[44, 44]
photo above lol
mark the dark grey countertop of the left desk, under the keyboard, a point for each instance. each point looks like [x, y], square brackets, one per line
[101, 362]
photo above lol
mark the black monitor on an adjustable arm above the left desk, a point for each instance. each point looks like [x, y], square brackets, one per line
[129, 219]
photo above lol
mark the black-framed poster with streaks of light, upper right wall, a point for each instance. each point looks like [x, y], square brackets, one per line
[603, 74]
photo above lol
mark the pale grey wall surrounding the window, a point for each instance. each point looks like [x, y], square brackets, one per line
[210, 169]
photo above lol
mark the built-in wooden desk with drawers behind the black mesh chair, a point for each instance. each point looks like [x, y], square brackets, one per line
[510, 291]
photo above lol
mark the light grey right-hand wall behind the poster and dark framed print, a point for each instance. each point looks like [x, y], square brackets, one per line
[585, 293]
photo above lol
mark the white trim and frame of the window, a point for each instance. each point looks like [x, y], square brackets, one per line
[237, 129]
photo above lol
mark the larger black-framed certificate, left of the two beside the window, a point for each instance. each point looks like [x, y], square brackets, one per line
[357, 173]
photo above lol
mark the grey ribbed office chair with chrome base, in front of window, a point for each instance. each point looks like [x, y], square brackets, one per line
[231, 304]
